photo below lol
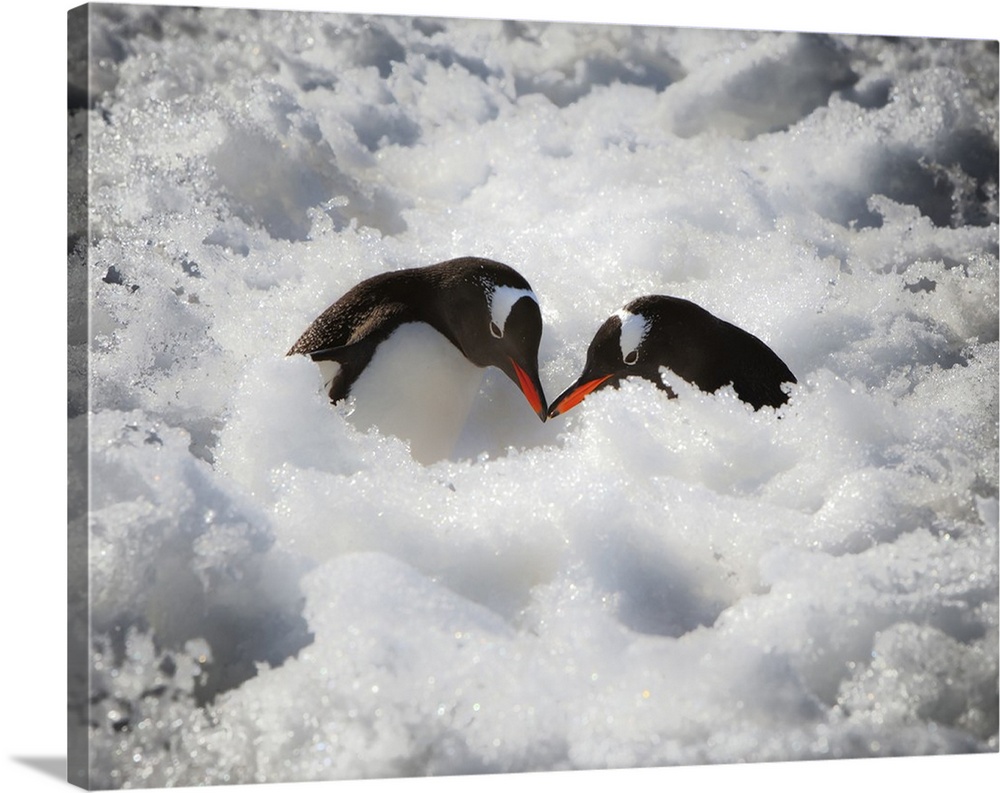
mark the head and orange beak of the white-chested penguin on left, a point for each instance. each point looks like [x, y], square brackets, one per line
[507, 336]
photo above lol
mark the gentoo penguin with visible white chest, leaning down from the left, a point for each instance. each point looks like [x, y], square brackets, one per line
[409, 347]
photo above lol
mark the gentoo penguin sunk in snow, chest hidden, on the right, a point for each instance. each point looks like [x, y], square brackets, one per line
[657, 330]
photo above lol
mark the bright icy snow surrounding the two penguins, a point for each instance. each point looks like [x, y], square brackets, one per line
[277, 595]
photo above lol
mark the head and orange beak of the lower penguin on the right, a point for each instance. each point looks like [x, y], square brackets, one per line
[616, 351]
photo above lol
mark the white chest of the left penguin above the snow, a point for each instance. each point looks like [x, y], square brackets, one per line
[418, 387]
